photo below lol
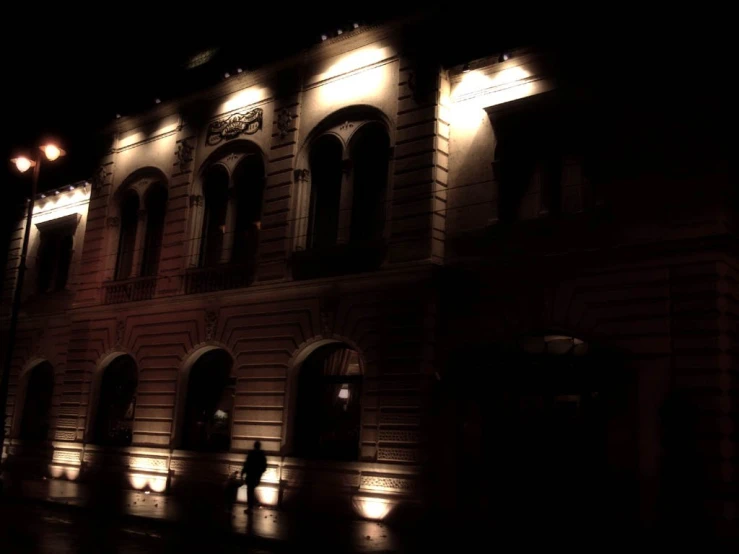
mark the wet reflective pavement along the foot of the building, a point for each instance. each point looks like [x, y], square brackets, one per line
[60, 516]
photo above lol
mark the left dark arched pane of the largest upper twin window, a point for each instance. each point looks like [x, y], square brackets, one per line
[326, 177]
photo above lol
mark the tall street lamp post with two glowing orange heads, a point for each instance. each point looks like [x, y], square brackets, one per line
[23, 164]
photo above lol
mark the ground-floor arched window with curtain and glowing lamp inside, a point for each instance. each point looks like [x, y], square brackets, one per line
[327, 421]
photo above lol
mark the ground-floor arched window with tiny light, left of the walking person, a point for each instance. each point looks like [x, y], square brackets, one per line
[208, 411]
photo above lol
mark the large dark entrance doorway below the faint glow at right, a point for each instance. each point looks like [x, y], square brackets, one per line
[533, 432]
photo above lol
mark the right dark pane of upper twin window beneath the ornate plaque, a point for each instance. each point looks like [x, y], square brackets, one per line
[248, 182]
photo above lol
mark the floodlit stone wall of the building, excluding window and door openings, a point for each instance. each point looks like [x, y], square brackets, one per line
[655, 283]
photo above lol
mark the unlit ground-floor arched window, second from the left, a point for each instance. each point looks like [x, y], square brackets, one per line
[116, 404]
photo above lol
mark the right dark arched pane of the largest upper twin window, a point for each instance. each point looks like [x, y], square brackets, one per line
[369, 149]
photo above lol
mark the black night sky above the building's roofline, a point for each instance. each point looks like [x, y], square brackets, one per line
[67, 73]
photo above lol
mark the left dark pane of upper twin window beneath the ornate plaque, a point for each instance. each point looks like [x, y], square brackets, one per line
[215, 193]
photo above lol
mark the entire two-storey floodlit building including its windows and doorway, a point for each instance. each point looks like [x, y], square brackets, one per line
[417, 286]
